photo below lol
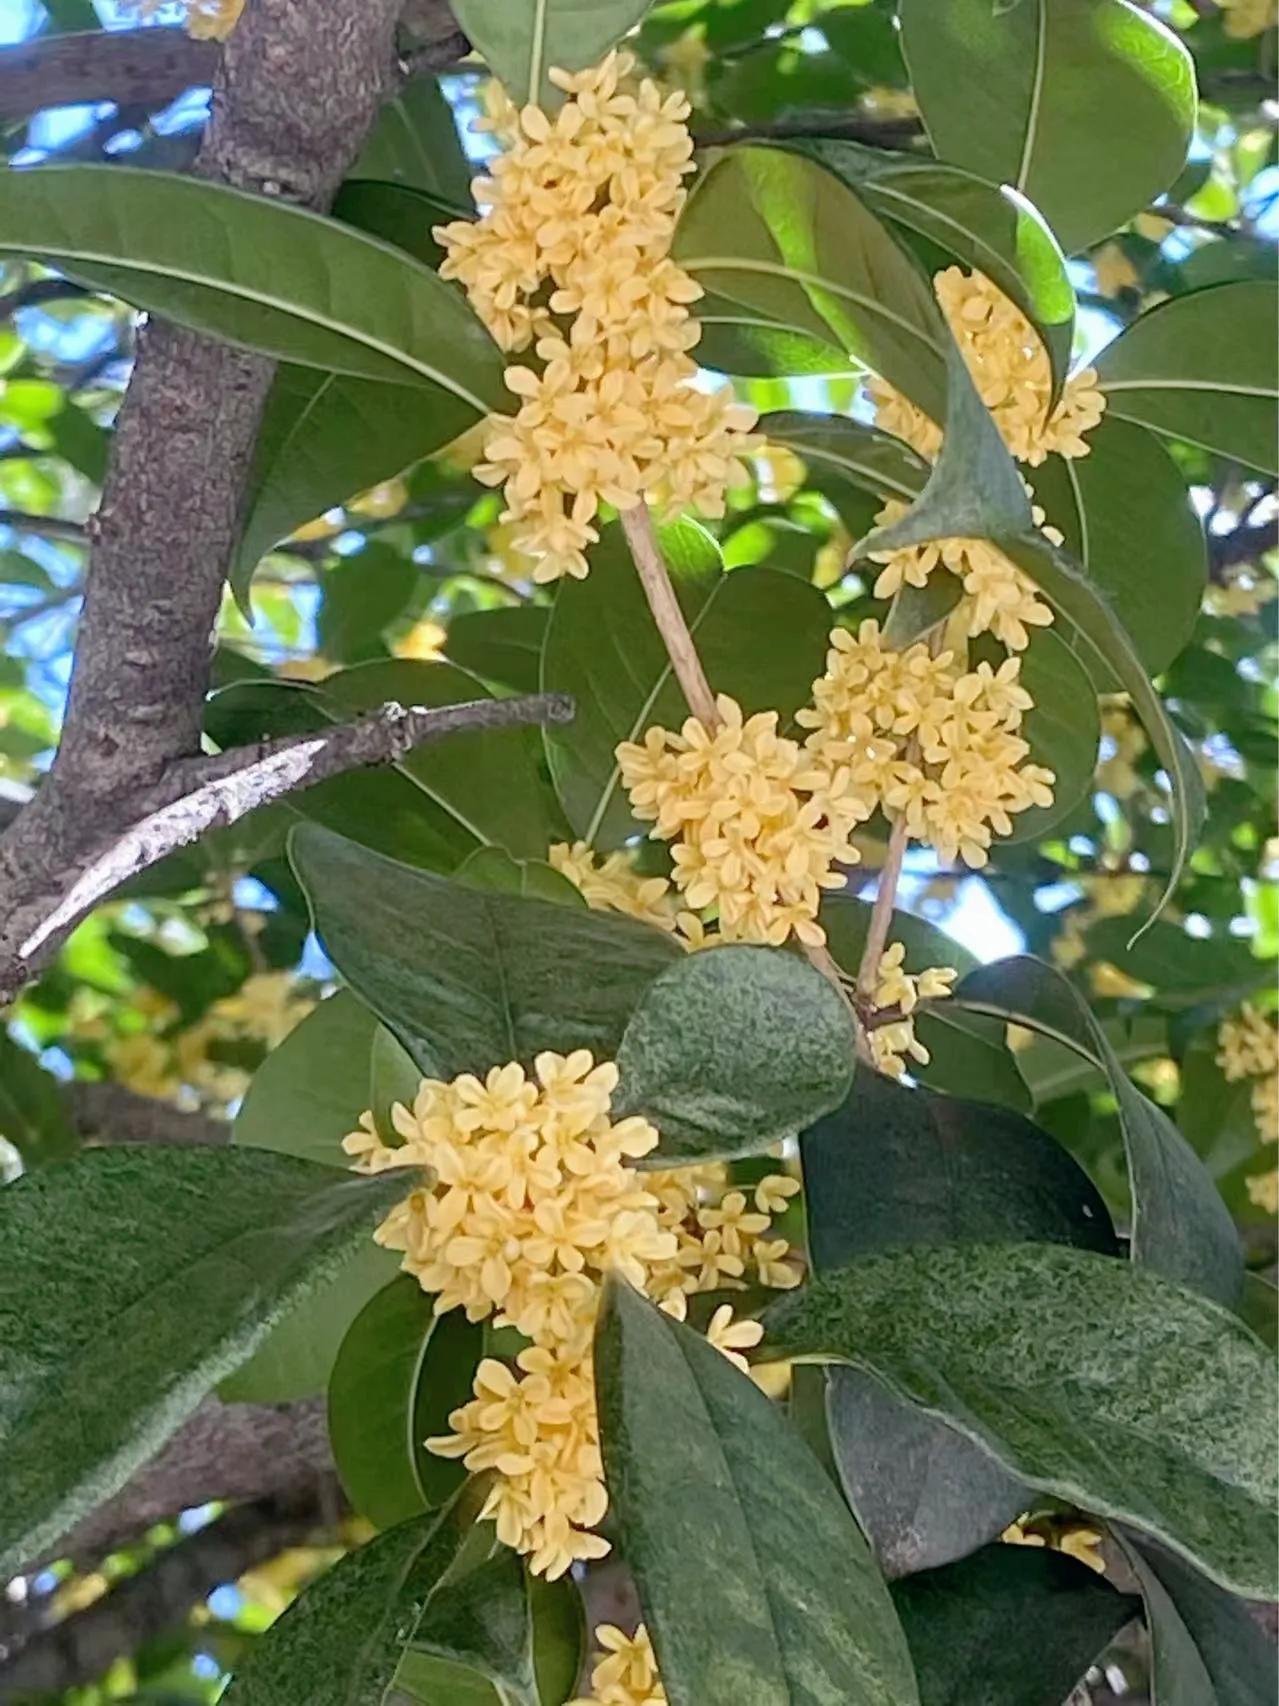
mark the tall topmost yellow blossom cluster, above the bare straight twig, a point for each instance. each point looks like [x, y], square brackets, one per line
[572, 258]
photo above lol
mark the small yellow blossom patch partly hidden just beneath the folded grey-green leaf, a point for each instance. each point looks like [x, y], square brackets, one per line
[1000, 598]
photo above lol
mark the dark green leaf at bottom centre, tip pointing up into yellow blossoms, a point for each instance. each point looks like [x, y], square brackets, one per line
[712, 1488]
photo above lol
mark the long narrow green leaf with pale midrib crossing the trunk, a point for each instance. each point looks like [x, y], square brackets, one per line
[260, 274]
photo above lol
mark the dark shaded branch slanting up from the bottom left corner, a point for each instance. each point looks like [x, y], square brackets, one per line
[81, 1649]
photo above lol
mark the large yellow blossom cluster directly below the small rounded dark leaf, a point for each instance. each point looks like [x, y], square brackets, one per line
[533, 1200]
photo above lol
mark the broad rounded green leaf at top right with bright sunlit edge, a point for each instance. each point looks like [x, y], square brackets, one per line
[1087, 107]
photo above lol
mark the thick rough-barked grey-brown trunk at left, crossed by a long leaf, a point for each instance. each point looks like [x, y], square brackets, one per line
[296, 93]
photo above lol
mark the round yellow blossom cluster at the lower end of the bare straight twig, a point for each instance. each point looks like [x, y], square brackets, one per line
[756, 825]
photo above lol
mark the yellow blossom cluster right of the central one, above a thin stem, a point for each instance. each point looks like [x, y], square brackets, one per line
[925, 741]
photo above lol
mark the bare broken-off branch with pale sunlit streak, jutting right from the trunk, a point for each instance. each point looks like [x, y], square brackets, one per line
[197, 796]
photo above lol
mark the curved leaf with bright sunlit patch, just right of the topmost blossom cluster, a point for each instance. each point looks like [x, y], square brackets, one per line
[784, 247]
